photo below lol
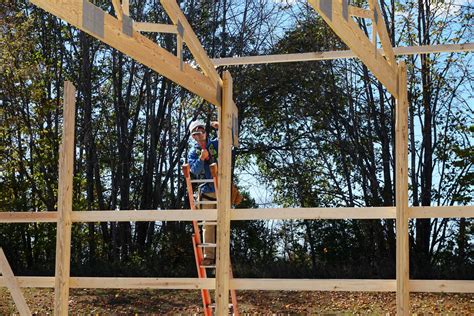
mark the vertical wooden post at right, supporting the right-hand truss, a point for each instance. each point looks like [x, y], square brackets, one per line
[401, 165]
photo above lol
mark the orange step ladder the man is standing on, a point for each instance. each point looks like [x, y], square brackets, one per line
[198, 245]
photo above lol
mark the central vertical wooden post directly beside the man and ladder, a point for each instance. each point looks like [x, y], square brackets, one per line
[223, 197]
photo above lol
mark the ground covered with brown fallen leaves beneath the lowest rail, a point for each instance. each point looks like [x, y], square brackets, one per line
[86, 301]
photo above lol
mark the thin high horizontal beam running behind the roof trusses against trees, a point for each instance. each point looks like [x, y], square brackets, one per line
[330, 55]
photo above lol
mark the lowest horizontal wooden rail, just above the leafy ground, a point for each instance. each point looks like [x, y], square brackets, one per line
[434, 286]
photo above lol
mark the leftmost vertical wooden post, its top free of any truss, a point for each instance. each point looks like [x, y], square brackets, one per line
[63, 239]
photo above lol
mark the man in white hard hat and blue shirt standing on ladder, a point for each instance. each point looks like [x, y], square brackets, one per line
[203, 154]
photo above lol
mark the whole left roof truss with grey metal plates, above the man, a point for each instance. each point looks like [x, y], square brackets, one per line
[121, 33]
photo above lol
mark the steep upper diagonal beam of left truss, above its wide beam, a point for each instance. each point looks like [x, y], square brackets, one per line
[191, 40]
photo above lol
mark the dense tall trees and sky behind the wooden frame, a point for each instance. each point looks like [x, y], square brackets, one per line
[313, 134]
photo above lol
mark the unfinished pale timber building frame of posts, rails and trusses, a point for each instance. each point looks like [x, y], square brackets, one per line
[122, 33]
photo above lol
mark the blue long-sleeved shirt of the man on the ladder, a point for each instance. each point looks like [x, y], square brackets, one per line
[199, 168]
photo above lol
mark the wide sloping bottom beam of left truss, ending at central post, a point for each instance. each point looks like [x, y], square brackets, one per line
[137, 47]
